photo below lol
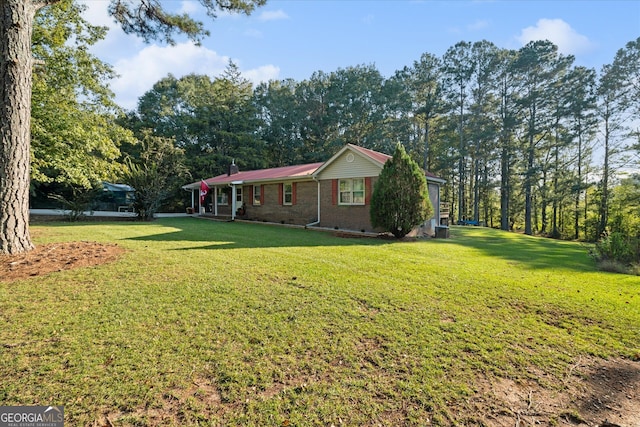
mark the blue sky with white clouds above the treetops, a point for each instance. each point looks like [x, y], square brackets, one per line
[295, 38]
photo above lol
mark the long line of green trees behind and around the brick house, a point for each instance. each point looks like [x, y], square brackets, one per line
[526, 139]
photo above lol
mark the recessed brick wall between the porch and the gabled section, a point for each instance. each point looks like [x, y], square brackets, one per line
[303, 211]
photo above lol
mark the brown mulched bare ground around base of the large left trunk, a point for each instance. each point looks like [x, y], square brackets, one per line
[52, 257]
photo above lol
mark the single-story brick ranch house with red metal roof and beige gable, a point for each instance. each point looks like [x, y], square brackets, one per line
[332, 194]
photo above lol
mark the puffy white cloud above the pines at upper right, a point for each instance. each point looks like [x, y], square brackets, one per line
[560, 33]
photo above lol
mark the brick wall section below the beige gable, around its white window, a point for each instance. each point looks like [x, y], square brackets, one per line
[344, 217]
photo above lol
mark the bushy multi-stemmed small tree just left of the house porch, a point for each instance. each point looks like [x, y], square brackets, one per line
[155, 174]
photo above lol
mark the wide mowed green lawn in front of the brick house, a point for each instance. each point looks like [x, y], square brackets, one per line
[211, 323]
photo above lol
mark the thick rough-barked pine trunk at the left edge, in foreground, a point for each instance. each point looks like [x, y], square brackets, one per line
[16, 25]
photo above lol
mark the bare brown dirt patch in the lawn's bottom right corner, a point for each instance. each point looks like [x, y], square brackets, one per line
[595, 393]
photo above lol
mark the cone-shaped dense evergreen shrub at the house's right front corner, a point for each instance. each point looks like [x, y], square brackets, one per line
[400, 199]
